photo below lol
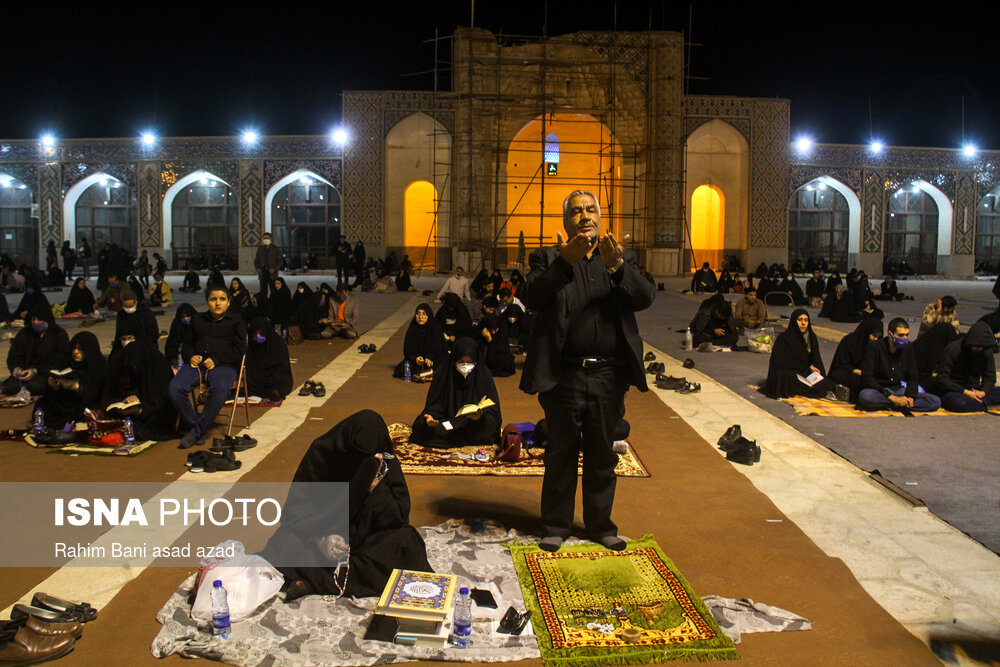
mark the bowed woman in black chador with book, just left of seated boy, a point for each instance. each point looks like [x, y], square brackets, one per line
[139, 370]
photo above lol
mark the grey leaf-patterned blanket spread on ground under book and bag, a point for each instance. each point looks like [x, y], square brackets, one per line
[313, 631]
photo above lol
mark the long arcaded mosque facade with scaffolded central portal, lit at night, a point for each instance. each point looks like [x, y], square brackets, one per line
[478, 171]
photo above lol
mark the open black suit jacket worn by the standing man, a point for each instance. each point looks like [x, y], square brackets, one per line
[552, 290]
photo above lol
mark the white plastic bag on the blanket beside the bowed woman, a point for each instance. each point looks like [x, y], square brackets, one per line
[250, 581]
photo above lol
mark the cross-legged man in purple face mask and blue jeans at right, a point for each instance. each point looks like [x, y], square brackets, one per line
[889, 378]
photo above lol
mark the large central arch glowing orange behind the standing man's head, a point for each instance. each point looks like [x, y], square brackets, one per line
[548, 160]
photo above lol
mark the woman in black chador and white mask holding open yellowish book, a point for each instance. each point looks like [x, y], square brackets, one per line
[462, 380]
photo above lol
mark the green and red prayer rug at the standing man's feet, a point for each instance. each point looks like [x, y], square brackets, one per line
[593, 606]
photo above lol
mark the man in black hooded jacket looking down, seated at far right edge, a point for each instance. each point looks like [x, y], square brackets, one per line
[966, 380]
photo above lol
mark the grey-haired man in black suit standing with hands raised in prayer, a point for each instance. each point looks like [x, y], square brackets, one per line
[584, 354]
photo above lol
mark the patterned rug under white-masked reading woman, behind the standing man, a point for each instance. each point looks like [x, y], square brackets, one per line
[418, 460]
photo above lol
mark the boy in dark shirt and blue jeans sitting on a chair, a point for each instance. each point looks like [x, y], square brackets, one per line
[220, 341]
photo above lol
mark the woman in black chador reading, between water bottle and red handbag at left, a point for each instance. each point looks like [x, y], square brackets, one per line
[68, 395]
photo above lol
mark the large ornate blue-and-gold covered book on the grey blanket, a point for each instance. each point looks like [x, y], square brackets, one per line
[423, 596]
